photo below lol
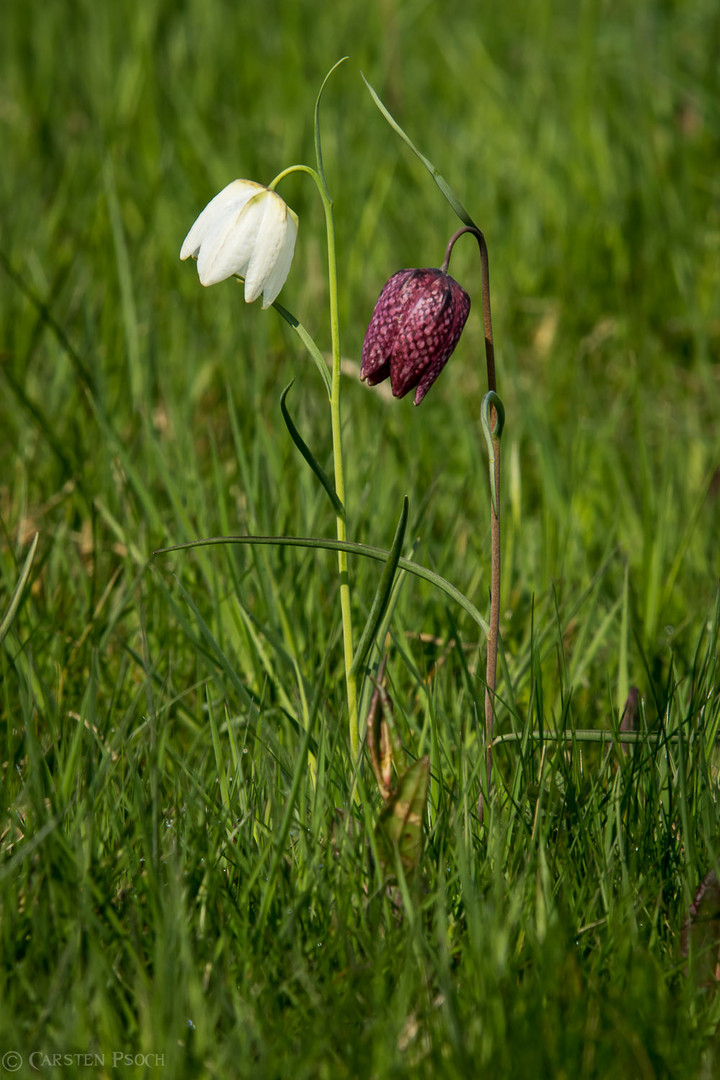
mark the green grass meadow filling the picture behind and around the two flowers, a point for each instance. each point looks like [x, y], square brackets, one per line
[173, 883]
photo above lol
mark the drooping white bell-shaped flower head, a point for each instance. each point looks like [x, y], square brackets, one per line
[247, 231]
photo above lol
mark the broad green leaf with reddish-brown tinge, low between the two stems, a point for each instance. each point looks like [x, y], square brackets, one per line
[400, 828]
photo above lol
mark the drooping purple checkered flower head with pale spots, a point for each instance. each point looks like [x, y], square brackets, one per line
[415, 328]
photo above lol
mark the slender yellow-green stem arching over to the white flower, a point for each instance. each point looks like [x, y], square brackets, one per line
[336, 423]
